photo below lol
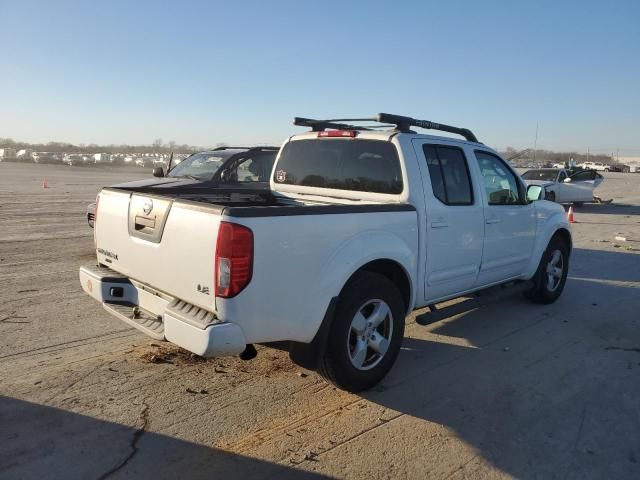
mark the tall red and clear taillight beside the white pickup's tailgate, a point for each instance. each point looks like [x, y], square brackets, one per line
[234, 259]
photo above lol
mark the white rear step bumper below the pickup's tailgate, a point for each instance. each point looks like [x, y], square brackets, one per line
[161, 316]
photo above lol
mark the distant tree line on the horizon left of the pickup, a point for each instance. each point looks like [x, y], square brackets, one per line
[158, 146]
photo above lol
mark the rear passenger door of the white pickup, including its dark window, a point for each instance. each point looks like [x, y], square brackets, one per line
[454, 220]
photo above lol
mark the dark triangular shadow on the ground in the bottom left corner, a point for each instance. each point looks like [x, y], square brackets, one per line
[45, 442]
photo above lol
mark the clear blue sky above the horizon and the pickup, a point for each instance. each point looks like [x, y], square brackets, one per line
[237, 72]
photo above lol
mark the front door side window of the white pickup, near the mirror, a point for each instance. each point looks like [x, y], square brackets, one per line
[500, 183]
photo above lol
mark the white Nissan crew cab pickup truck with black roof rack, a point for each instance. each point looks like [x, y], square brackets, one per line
[361, 227]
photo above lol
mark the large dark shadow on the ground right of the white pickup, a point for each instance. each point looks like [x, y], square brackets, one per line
[538, 391]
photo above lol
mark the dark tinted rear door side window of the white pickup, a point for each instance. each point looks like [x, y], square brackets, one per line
[449, 174]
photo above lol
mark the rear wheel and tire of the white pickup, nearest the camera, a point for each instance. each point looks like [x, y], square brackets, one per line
[363, 302]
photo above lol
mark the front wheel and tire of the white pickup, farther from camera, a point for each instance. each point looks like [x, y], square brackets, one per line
[547, 286]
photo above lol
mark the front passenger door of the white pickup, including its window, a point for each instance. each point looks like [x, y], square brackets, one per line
[510, 222]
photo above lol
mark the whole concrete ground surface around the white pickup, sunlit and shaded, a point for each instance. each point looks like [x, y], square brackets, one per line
[486, 387]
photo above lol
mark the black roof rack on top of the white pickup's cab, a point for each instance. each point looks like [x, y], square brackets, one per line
[402, 124]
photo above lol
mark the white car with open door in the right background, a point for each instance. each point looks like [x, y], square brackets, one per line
[564, 186]
